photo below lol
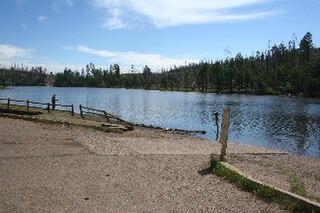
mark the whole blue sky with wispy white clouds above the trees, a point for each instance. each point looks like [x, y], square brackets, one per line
[56, 34]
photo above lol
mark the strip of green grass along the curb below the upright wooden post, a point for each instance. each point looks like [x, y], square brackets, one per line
[265, 192]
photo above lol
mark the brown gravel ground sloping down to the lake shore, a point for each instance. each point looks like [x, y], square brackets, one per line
[55, 168]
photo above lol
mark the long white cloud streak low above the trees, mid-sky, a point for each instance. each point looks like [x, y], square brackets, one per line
[126, 59]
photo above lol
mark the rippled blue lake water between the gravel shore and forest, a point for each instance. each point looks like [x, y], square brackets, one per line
[282, 123]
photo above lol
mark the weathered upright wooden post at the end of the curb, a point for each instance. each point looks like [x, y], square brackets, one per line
[224, 133]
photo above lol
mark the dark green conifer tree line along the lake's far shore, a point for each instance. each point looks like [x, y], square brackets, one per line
[292, 68]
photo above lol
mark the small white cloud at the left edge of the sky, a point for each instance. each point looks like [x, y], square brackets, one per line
[8, 52]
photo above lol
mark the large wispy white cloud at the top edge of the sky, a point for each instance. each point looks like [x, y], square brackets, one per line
[165, 13]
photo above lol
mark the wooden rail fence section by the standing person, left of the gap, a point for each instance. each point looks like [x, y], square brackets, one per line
[27, 103]
